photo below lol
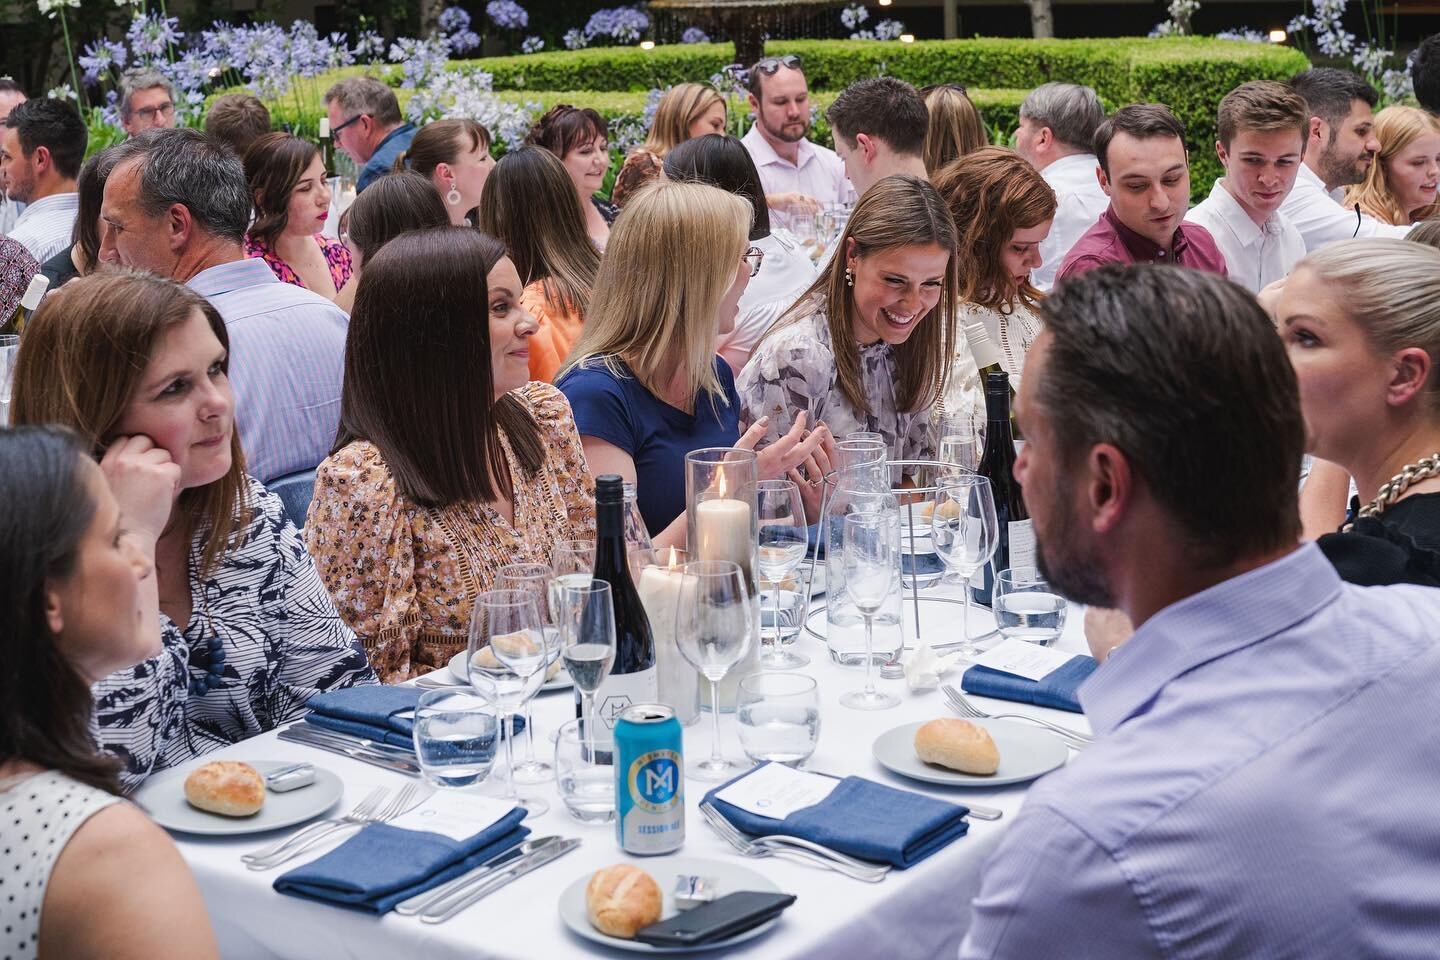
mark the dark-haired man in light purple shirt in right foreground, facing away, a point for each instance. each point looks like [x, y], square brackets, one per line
[1264, 776]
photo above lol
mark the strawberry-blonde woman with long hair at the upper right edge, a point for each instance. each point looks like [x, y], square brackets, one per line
[1402, 184]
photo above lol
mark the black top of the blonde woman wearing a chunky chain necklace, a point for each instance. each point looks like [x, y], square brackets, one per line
[1400, 546]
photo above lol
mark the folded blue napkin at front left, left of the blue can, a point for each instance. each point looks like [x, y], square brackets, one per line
[382, 864]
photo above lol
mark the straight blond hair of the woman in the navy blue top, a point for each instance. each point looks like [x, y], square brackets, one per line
[670, 260]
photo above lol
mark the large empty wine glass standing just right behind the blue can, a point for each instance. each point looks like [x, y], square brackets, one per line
[715, 627]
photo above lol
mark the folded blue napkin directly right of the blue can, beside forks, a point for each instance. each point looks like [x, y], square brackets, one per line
[865, 820]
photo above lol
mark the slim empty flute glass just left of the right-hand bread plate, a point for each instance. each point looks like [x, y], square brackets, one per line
[870, 556]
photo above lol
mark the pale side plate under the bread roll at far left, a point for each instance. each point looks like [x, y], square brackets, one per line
[162, 797]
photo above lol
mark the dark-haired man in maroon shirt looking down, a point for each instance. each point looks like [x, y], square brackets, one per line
[1146, 172]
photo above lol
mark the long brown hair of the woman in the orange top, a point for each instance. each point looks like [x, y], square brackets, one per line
[529, 204]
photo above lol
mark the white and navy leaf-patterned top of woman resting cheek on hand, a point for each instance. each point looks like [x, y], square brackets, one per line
[282, 638]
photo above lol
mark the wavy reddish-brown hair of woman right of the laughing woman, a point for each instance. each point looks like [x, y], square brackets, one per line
[993, 194]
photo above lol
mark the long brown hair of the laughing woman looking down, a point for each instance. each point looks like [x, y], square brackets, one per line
[899, 211]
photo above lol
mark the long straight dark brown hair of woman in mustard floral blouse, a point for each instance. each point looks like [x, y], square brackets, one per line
[418, 379]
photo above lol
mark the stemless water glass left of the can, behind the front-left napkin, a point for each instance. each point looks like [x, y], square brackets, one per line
[457, 736]
